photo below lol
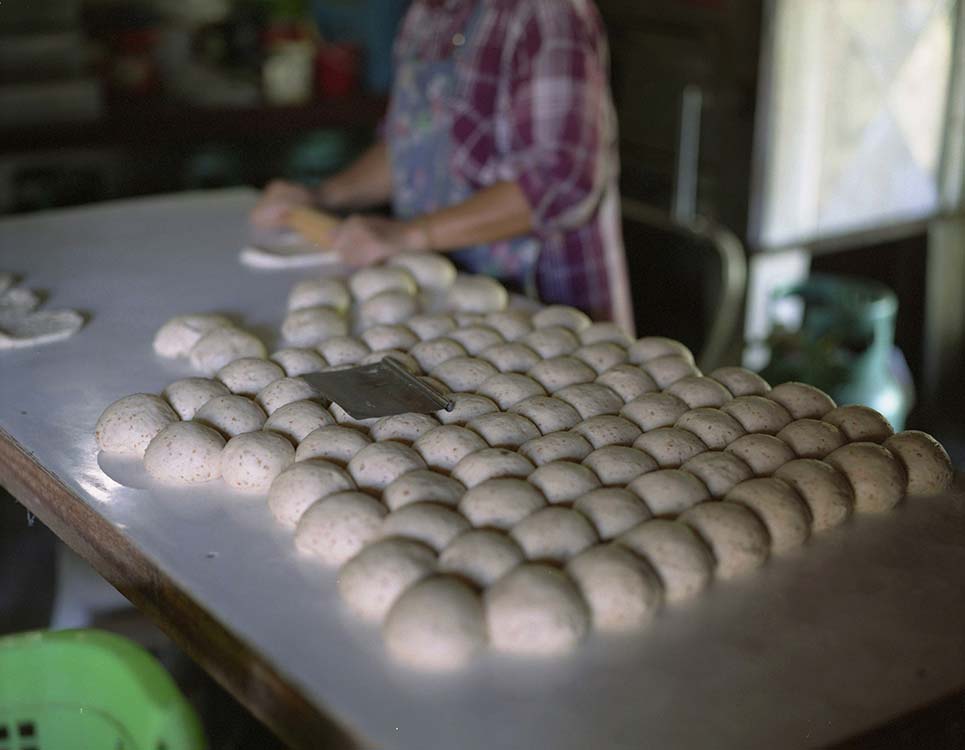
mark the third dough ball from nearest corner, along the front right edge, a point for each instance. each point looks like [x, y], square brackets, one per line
[622, 591]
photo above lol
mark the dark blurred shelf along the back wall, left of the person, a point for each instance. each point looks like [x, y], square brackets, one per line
[166, 122]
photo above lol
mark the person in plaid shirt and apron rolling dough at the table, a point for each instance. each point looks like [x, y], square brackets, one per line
[499, 147]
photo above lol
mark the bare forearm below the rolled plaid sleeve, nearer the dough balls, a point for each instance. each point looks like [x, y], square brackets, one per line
[492, 214]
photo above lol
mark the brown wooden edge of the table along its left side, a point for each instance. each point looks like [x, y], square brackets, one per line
[227, 658]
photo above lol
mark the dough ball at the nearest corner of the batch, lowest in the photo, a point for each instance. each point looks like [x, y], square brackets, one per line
[437, 625]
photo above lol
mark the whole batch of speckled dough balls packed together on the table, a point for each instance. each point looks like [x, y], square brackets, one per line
[582, 481]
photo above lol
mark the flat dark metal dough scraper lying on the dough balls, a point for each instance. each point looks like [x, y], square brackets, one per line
[377, 390]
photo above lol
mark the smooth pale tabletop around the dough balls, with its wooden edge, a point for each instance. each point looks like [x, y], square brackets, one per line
[862, 624]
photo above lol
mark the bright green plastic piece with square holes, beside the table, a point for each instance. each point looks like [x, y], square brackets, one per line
[70, 689]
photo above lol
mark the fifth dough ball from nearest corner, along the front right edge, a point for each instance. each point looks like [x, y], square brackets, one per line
[735, 535]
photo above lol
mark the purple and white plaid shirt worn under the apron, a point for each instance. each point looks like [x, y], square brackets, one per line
[532, 105]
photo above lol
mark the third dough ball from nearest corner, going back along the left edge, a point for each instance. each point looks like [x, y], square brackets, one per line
[338, 527]
